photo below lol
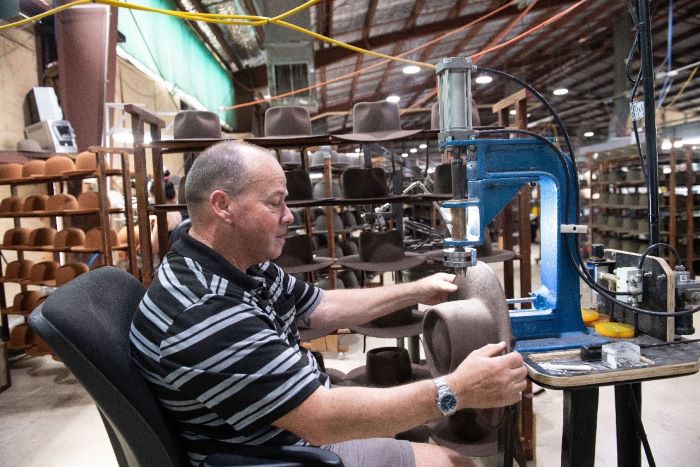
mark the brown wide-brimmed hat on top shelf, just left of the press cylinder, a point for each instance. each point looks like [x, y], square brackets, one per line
[376, 121]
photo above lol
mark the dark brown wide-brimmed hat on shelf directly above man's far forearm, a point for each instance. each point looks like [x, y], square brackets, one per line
[382, 252]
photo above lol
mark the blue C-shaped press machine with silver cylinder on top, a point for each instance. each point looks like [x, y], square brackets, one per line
[496, 169]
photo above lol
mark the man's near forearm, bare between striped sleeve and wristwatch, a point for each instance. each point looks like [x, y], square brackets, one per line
[341, 414]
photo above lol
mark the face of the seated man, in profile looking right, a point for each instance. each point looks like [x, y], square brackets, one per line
[263, 217]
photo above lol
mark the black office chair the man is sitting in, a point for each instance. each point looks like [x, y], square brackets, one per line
[86, 322]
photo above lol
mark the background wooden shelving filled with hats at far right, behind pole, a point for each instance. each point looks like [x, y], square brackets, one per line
[618, 202]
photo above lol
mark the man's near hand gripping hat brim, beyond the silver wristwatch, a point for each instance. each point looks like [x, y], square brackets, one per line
[488, 379]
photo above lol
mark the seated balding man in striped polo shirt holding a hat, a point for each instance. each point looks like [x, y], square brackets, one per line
[216, 334]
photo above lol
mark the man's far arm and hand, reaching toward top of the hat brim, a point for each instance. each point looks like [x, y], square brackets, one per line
[349, 307]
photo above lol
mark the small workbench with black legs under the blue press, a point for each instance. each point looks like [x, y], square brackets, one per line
[581, 393]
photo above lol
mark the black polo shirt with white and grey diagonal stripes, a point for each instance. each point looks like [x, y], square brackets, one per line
[220, 348]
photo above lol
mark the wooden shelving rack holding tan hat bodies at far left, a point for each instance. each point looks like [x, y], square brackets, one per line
[55, 185]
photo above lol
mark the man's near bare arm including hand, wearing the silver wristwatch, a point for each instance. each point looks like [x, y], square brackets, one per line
[484, 379]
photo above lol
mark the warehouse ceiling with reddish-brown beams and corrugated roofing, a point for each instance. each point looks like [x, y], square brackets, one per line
[577, 52]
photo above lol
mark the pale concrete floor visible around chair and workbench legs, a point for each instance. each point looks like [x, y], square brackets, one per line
[47, 418]
